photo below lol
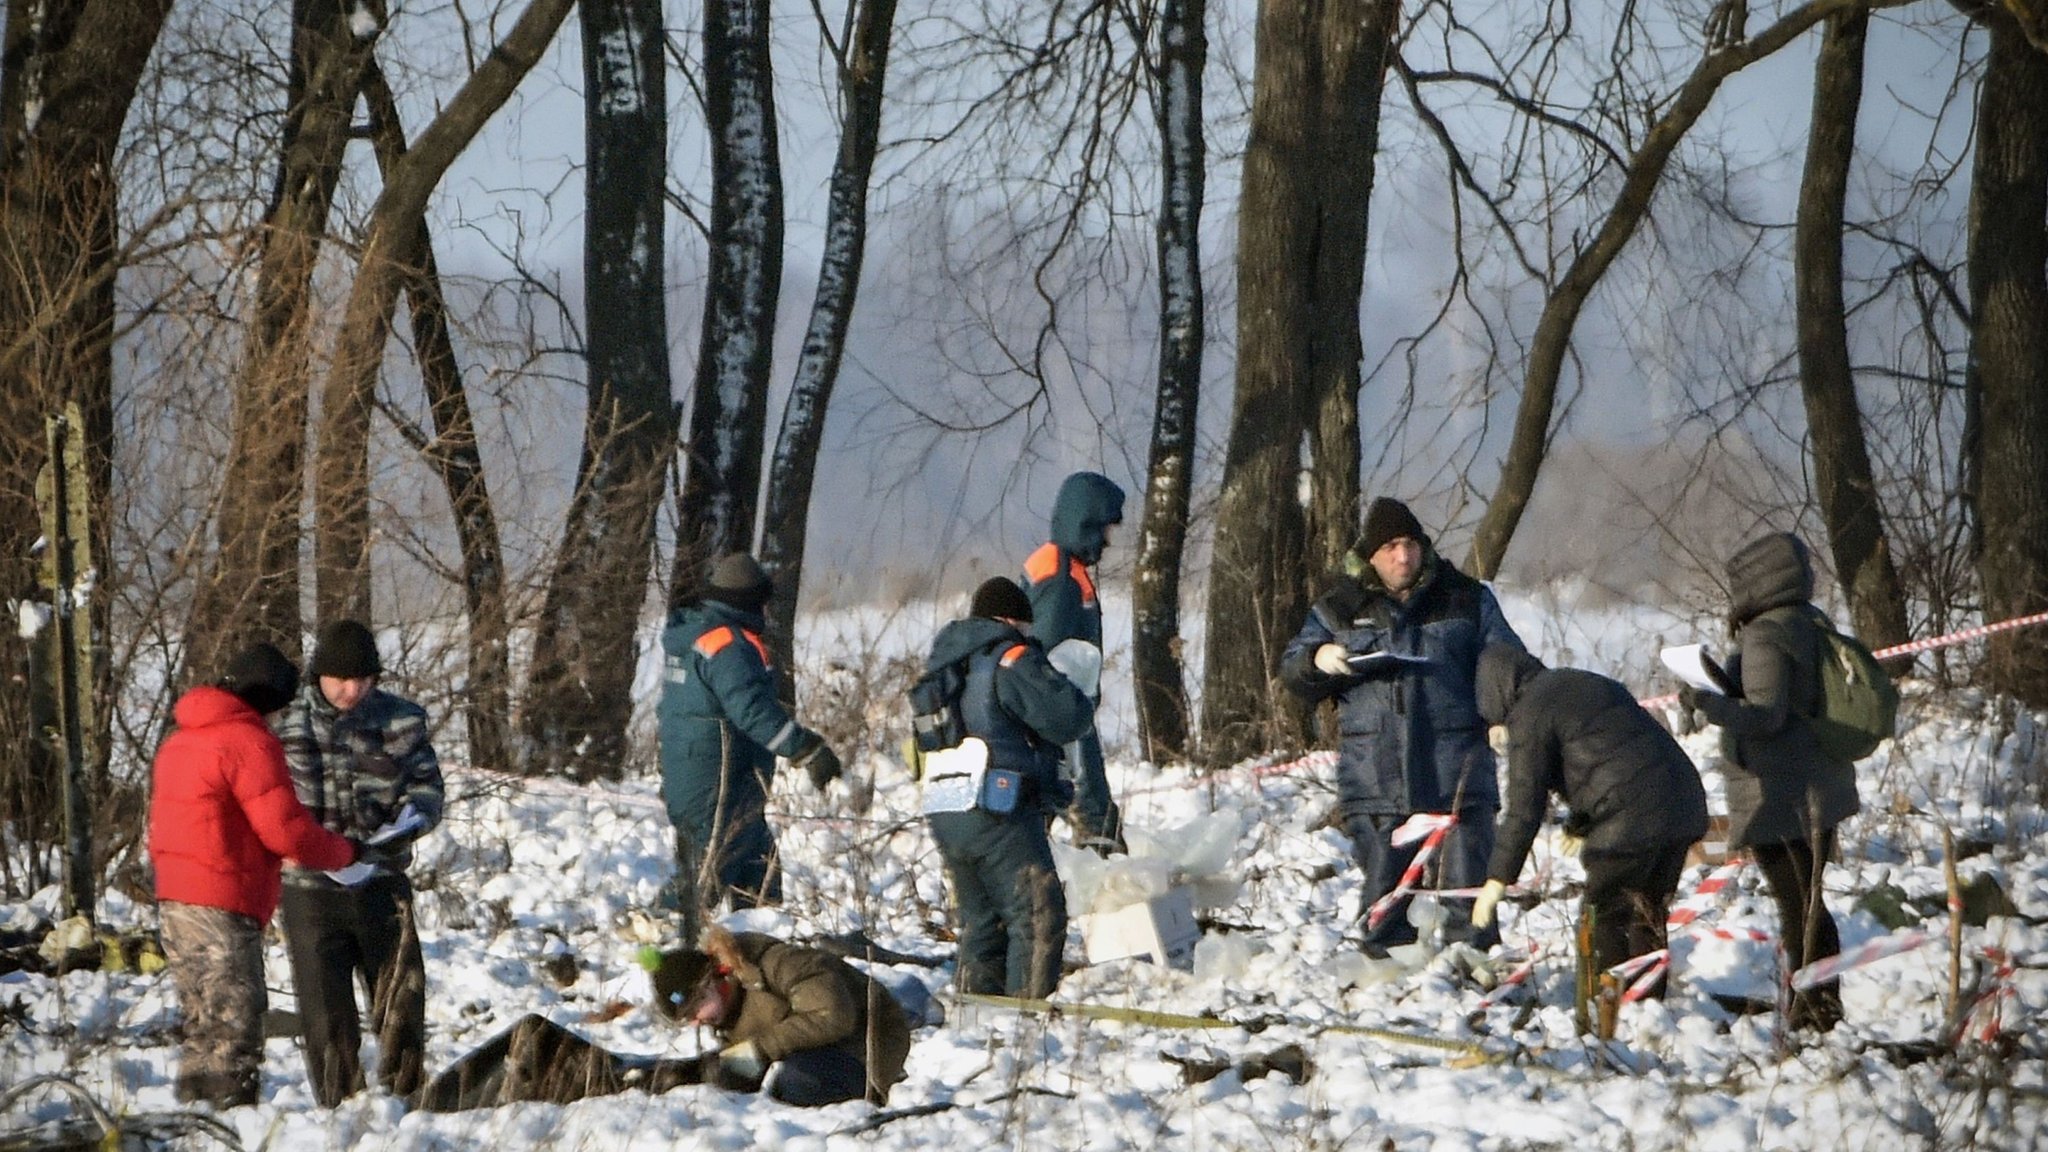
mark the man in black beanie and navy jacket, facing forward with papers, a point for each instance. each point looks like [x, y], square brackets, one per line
[1396, 645]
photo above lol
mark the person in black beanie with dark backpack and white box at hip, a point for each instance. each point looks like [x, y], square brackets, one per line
[1019, 714]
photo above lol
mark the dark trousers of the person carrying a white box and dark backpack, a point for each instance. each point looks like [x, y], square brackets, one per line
[1013, 915]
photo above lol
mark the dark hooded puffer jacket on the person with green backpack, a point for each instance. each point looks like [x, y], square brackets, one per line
[1781, 784]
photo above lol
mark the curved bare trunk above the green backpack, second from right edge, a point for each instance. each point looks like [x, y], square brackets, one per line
[1844, 483]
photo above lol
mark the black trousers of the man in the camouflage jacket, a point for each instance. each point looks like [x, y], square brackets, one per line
[337, 936]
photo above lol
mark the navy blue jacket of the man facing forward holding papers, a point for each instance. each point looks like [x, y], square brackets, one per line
[1410, 733]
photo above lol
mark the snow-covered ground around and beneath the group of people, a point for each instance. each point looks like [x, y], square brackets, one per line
[525, 874]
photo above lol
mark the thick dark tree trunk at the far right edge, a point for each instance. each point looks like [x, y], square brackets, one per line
[2010, 345]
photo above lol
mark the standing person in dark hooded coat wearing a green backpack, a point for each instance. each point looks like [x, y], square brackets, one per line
[1785, 792]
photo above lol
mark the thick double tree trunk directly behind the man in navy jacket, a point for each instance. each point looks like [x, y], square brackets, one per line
[1302, 261]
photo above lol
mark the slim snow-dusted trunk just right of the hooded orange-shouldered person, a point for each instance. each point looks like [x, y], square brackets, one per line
[1160, 680]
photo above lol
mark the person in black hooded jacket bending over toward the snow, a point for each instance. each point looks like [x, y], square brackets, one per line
[1635, 798]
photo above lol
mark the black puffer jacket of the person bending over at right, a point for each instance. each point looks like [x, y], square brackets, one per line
[1586, 739]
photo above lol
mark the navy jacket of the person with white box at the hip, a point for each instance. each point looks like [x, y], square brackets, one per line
[1015, 702]
